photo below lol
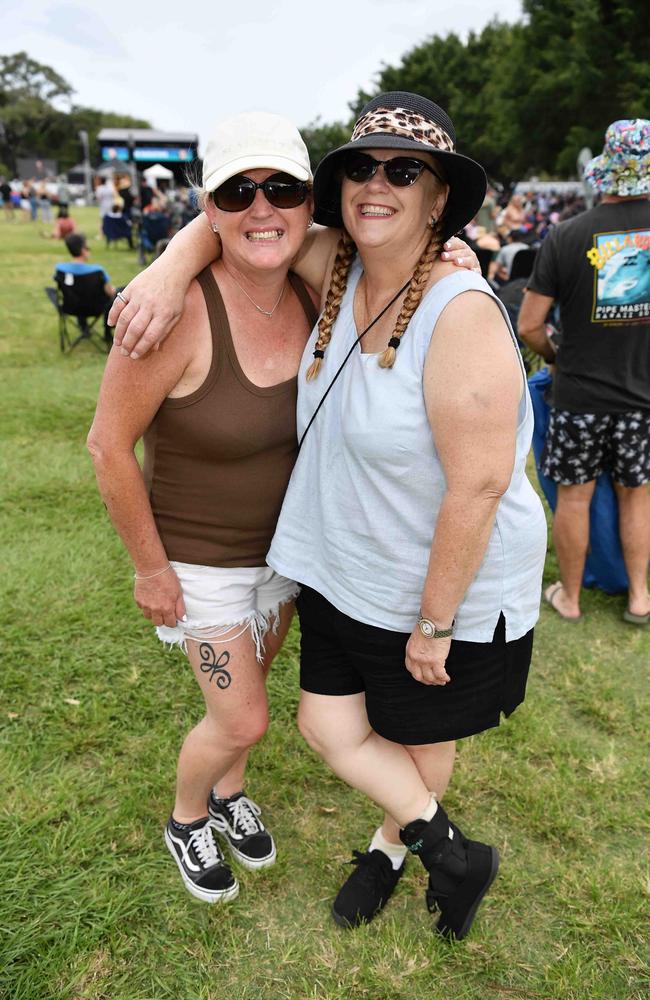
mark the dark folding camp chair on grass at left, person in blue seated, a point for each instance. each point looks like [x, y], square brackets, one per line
[82, 297]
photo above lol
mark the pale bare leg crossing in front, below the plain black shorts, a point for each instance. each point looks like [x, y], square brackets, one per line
[338, 729]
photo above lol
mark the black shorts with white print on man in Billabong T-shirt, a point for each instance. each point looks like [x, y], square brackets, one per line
[579, 446]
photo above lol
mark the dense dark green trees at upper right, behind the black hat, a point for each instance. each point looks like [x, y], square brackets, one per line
[527, 97]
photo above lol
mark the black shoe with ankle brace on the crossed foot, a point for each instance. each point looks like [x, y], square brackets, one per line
[460, 871]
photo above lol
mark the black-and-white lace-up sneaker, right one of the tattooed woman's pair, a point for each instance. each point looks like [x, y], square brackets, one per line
[238, 820]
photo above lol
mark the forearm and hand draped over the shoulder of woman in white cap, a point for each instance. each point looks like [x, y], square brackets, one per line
[155, 296]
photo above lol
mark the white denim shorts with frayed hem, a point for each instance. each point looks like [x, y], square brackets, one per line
[218, 600]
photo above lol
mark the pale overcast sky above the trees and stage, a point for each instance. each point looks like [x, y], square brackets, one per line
[185, 67]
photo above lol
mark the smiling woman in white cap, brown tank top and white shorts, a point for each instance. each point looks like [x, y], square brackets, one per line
[216, 410]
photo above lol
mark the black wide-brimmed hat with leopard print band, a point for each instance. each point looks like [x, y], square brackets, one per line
[402, 121]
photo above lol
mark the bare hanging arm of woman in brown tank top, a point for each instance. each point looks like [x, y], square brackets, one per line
[129, 398]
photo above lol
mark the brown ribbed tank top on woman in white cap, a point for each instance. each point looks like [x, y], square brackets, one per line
[218, 461]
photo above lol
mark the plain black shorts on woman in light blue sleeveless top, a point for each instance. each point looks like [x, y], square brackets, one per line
[341, 656]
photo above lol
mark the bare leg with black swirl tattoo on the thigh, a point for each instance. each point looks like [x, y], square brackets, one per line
[233, 686]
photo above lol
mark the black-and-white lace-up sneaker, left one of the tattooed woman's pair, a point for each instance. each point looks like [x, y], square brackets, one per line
[200, 861]
